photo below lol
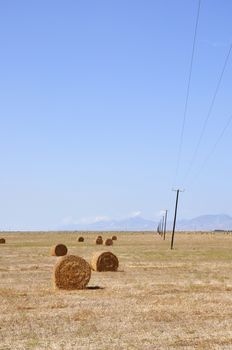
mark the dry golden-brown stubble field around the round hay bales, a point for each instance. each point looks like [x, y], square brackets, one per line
[159, 299]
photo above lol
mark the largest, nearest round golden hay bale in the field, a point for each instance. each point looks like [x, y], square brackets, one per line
[71, 272]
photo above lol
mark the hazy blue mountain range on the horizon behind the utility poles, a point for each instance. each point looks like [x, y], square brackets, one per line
[137, 223]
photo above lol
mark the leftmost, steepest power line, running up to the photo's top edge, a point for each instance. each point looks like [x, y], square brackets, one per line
[187, 92]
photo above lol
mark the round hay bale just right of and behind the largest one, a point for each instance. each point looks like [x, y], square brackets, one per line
[105, 261]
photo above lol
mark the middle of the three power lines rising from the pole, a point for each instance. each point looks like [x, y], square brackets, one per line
[208, 115]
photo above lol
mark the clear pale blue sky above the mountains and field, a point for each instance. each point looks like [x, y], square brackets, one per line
[92, 101]
